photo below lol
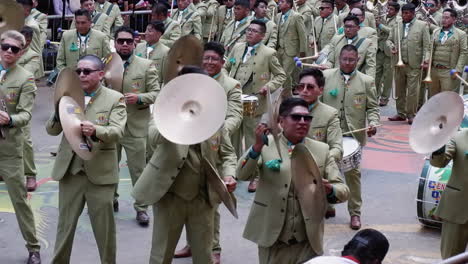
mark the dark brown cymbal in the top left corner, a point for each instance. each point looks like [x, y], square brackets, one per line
[11, 16]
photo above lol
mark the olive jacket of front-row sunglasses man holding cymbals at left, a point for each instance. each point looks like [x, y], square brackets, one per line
[107, 112]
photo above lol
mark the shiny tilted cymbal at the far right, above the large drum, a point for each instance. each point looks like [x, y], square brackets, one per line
[436, 122]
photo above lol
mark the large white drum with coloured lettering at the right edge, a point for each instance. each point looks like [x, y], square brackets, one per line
[431, 186]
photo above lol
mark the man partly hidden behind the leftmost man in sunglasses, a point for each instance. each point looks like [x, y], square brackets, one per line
[30, 61]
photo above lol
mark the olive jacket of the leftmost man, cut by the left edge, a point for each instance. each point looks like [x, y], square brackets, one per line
[18, 89]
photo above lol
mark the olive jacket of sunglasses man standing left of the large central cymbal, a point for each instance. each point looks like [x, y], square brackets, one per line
[140, 77]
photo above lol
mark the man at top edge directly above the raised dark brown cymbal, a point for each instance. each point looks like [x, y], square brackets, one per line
[188, 18]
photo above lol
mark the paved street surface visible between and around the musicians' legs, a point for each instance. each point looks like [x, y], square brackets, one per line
[390, 179]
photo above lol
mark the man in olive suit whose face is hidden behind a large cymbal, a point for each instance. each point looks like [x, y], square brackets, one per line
[175, 183]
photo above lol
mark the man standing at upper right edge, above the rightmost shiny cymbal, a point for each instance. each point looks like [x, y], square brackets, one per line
[449, 52]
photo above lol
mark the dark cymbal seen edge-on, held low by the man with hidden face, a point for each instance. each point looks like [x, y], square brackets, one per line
[218, 185]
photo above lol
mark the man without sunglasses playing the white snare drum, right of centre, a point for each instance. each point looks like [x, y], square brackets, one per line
[353, 94]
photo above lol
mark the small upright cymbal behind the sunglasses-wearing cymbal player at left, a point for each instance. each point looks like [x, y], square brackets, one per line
[114, 71]
